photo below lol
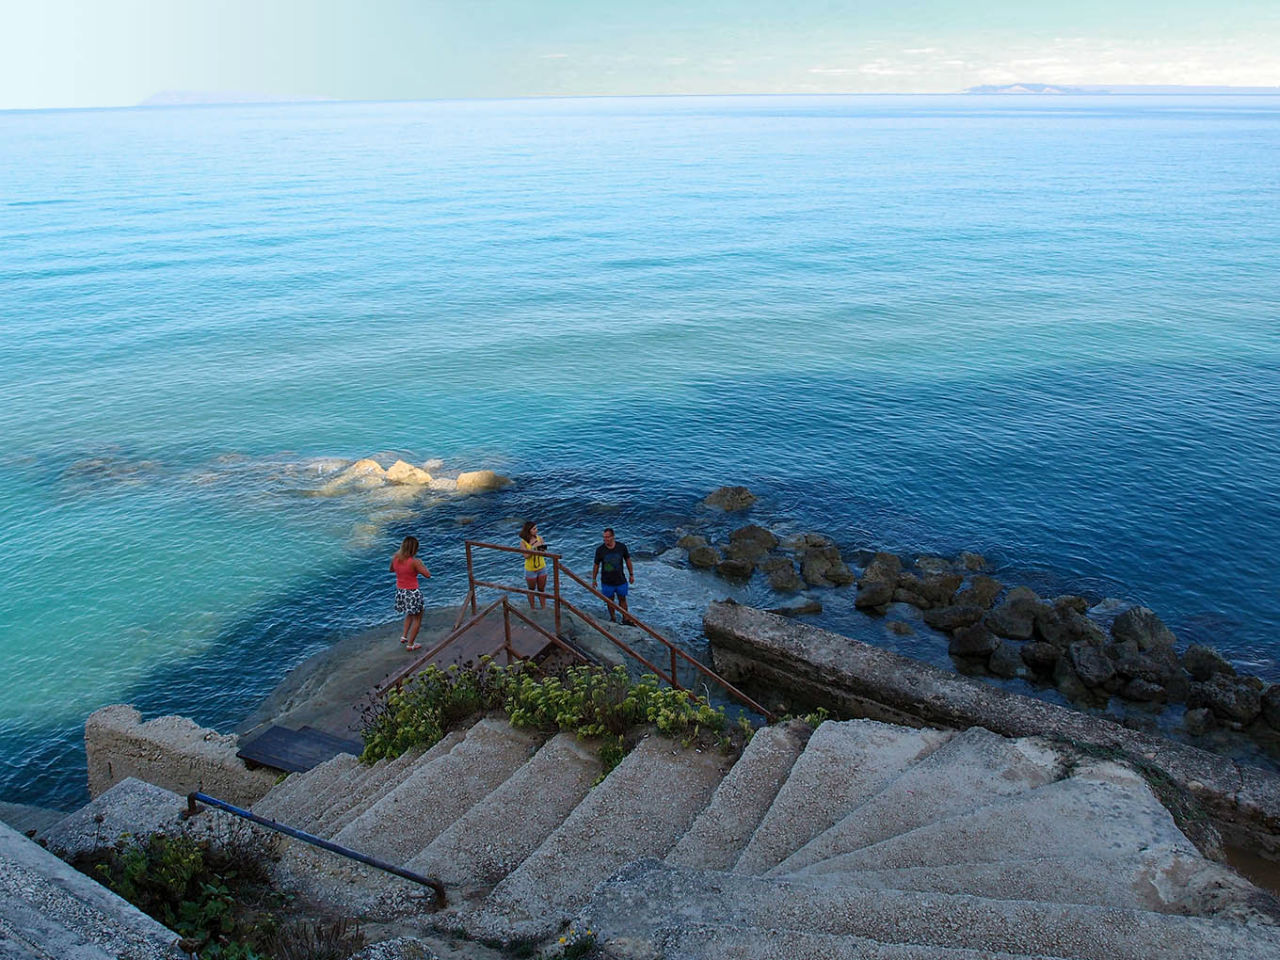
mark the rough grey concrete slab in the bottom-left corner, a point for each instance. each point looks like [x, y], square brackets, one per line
[51, 911]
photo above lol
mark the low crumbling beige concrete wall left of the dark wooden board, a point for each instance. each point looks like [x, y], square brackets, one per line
[170, 752]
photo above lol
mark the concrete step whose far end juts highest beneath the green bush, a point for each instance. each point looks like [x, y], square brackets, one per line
[405, 821]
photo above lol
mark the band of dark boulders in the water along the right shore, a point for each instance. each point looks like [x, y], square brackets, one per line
[1095, 652]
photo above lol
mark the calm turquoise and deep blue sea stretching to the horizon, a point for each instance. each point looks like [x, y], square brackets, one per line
[1044, 330]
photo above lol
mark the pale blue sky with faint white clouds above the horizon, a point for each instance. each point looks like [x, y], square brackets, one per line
[118, 53]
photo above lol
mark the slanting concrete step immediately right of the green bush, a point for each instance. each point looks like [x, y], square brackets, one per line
[724, 829]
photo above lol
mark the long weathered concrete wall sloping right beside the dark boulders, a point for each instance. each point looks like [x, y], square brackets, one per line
[764, 651]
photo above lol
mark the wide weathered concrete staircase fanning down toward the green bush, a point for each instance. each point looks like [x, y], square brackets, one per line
[857, 840]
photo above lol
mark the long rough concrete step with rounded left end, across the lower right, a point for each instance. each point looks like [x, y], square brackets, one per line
[629, 913]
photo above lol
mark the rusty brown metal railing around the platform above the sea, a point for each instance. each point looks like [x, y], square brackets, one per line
[560, 605]
